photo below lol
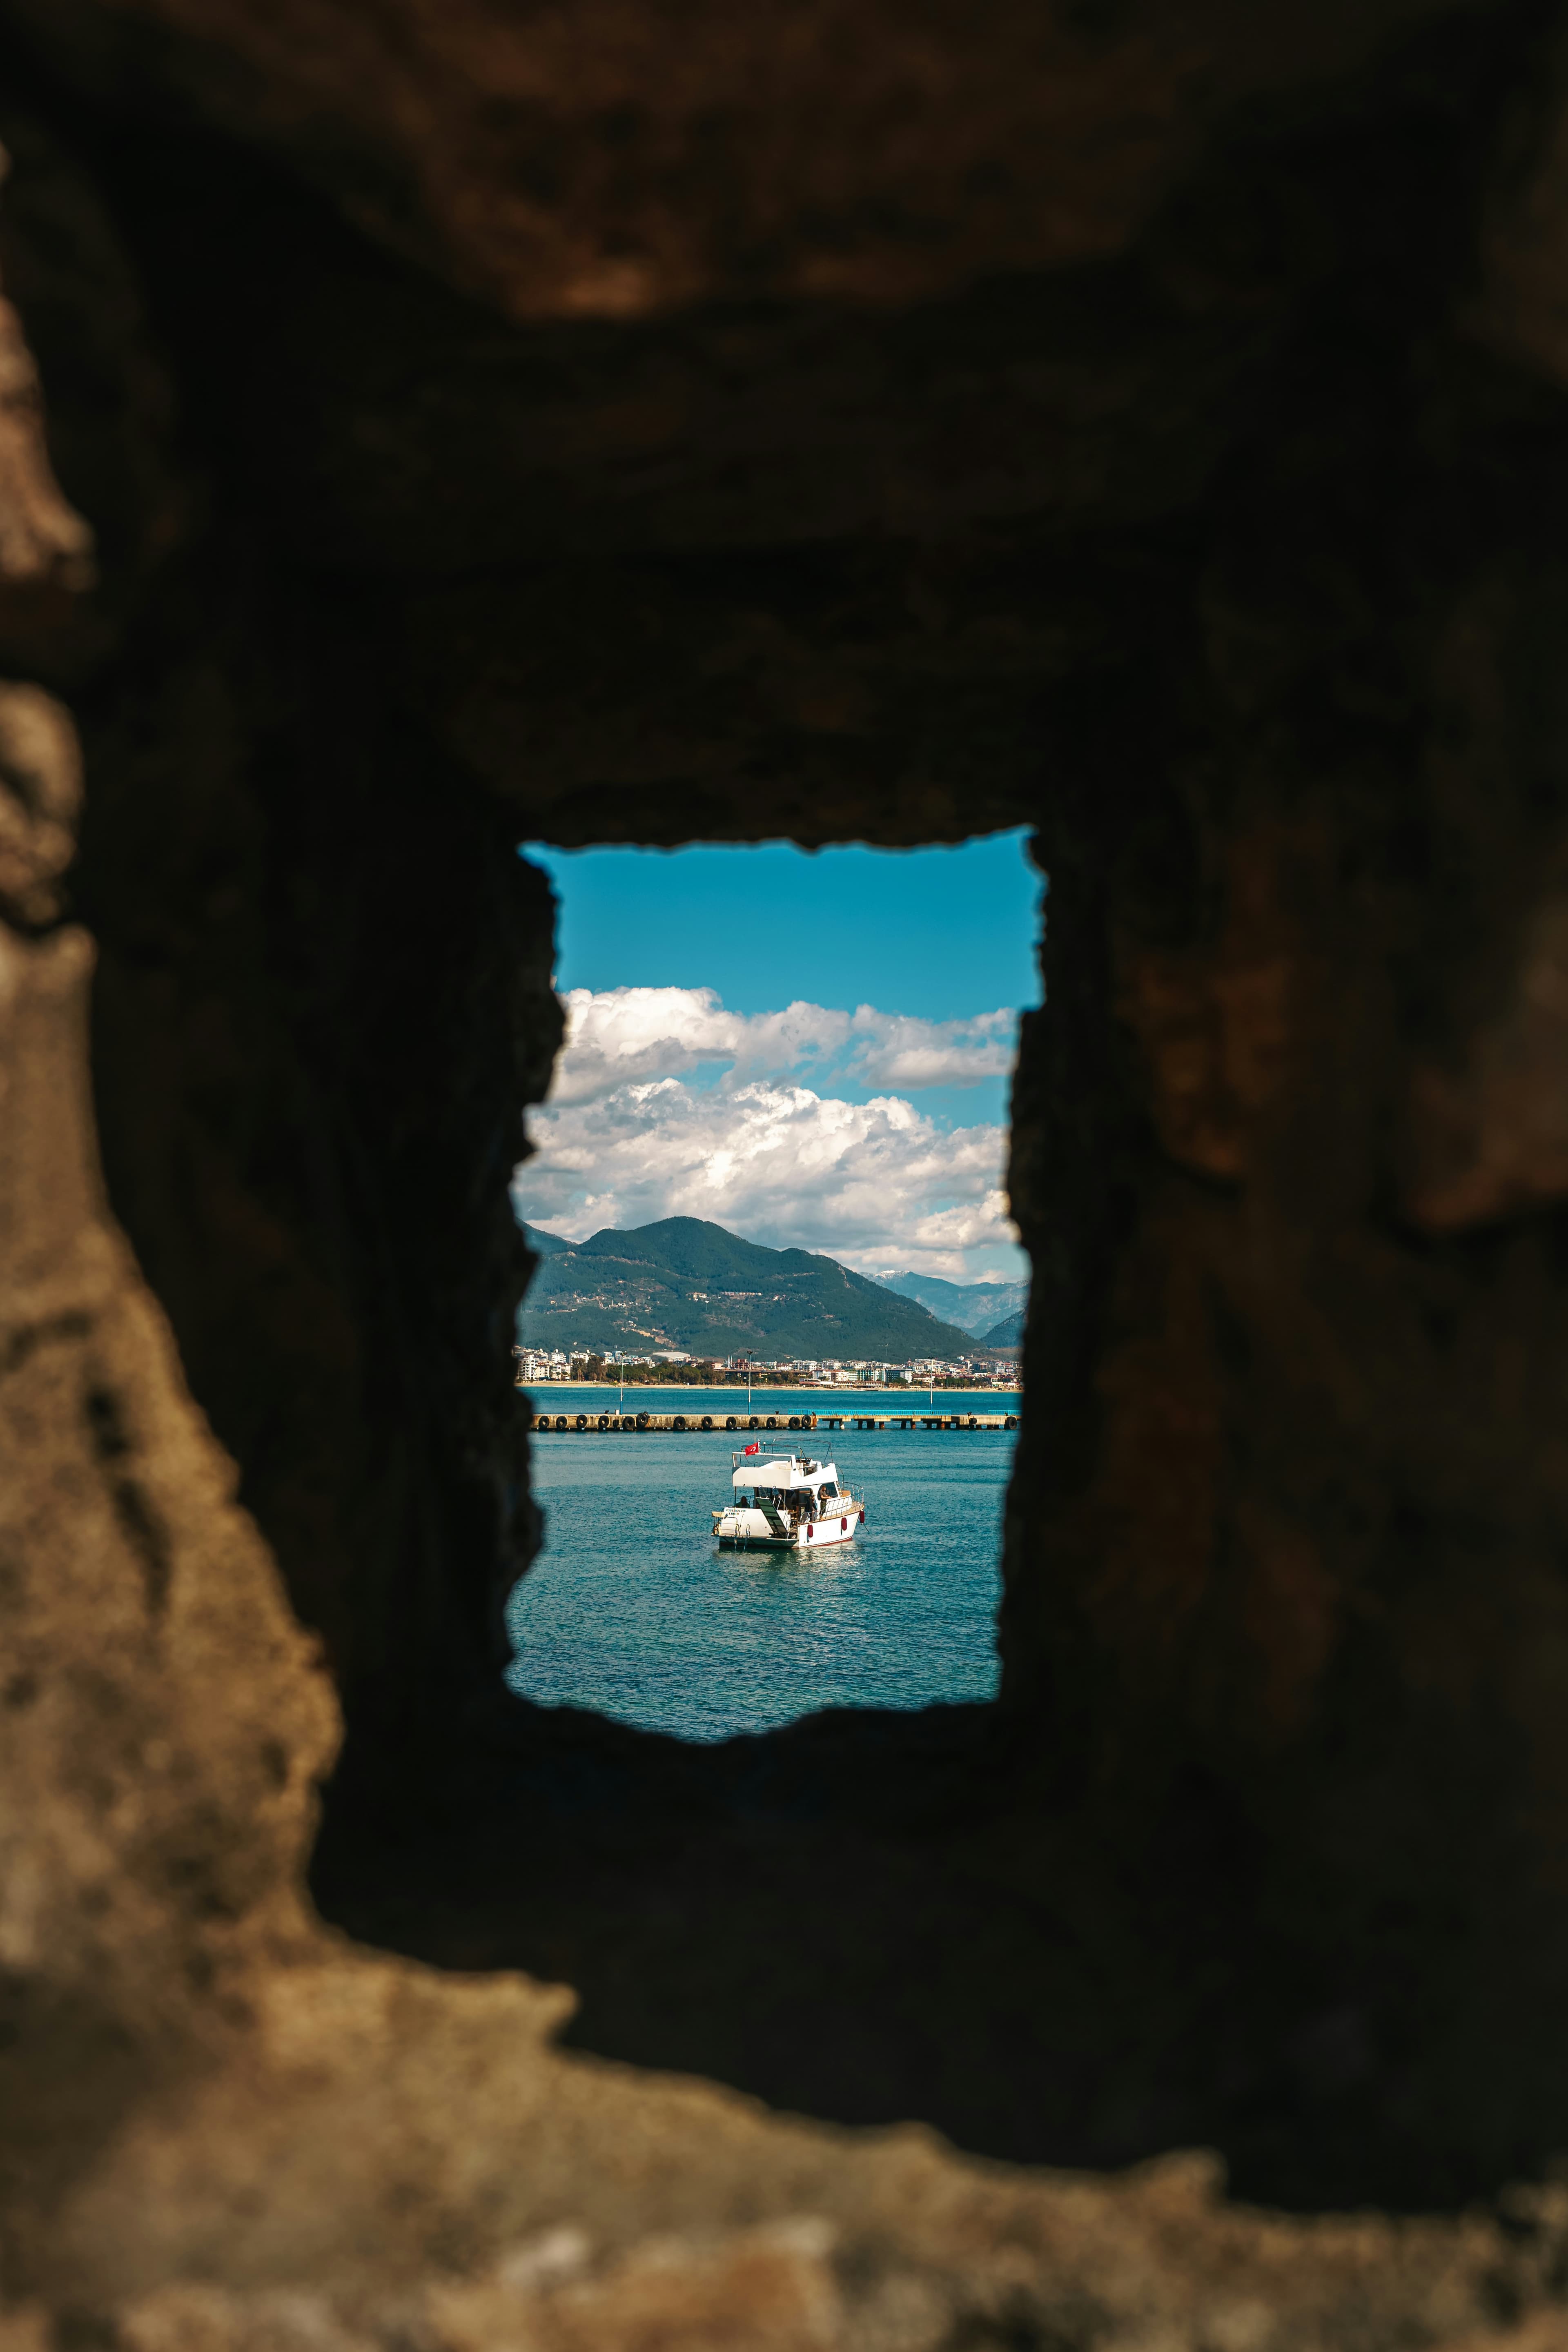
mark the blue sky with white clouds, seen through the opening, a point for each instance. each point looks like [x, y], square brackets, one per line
[866, 1123]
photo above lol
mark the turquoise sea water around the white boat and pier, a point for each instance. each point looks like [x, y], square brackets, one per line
[634, 1610]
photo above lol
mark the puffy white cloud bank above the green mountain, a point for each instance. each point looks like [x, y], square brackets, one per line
[626, 1135]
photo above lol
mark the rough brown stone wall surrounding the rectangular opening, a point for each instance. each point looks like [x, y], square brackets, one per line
[471, 425]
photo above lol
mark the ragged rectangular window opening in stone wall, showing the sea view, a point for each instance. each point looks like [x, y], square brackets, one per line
[855, 1074]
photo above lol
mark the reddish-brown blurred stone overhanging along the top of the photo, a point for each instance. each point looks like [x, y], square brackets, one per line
[570, 163]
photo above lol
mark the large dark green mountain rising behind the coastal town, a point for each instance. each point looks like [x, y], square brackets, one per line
[702, 1290]
